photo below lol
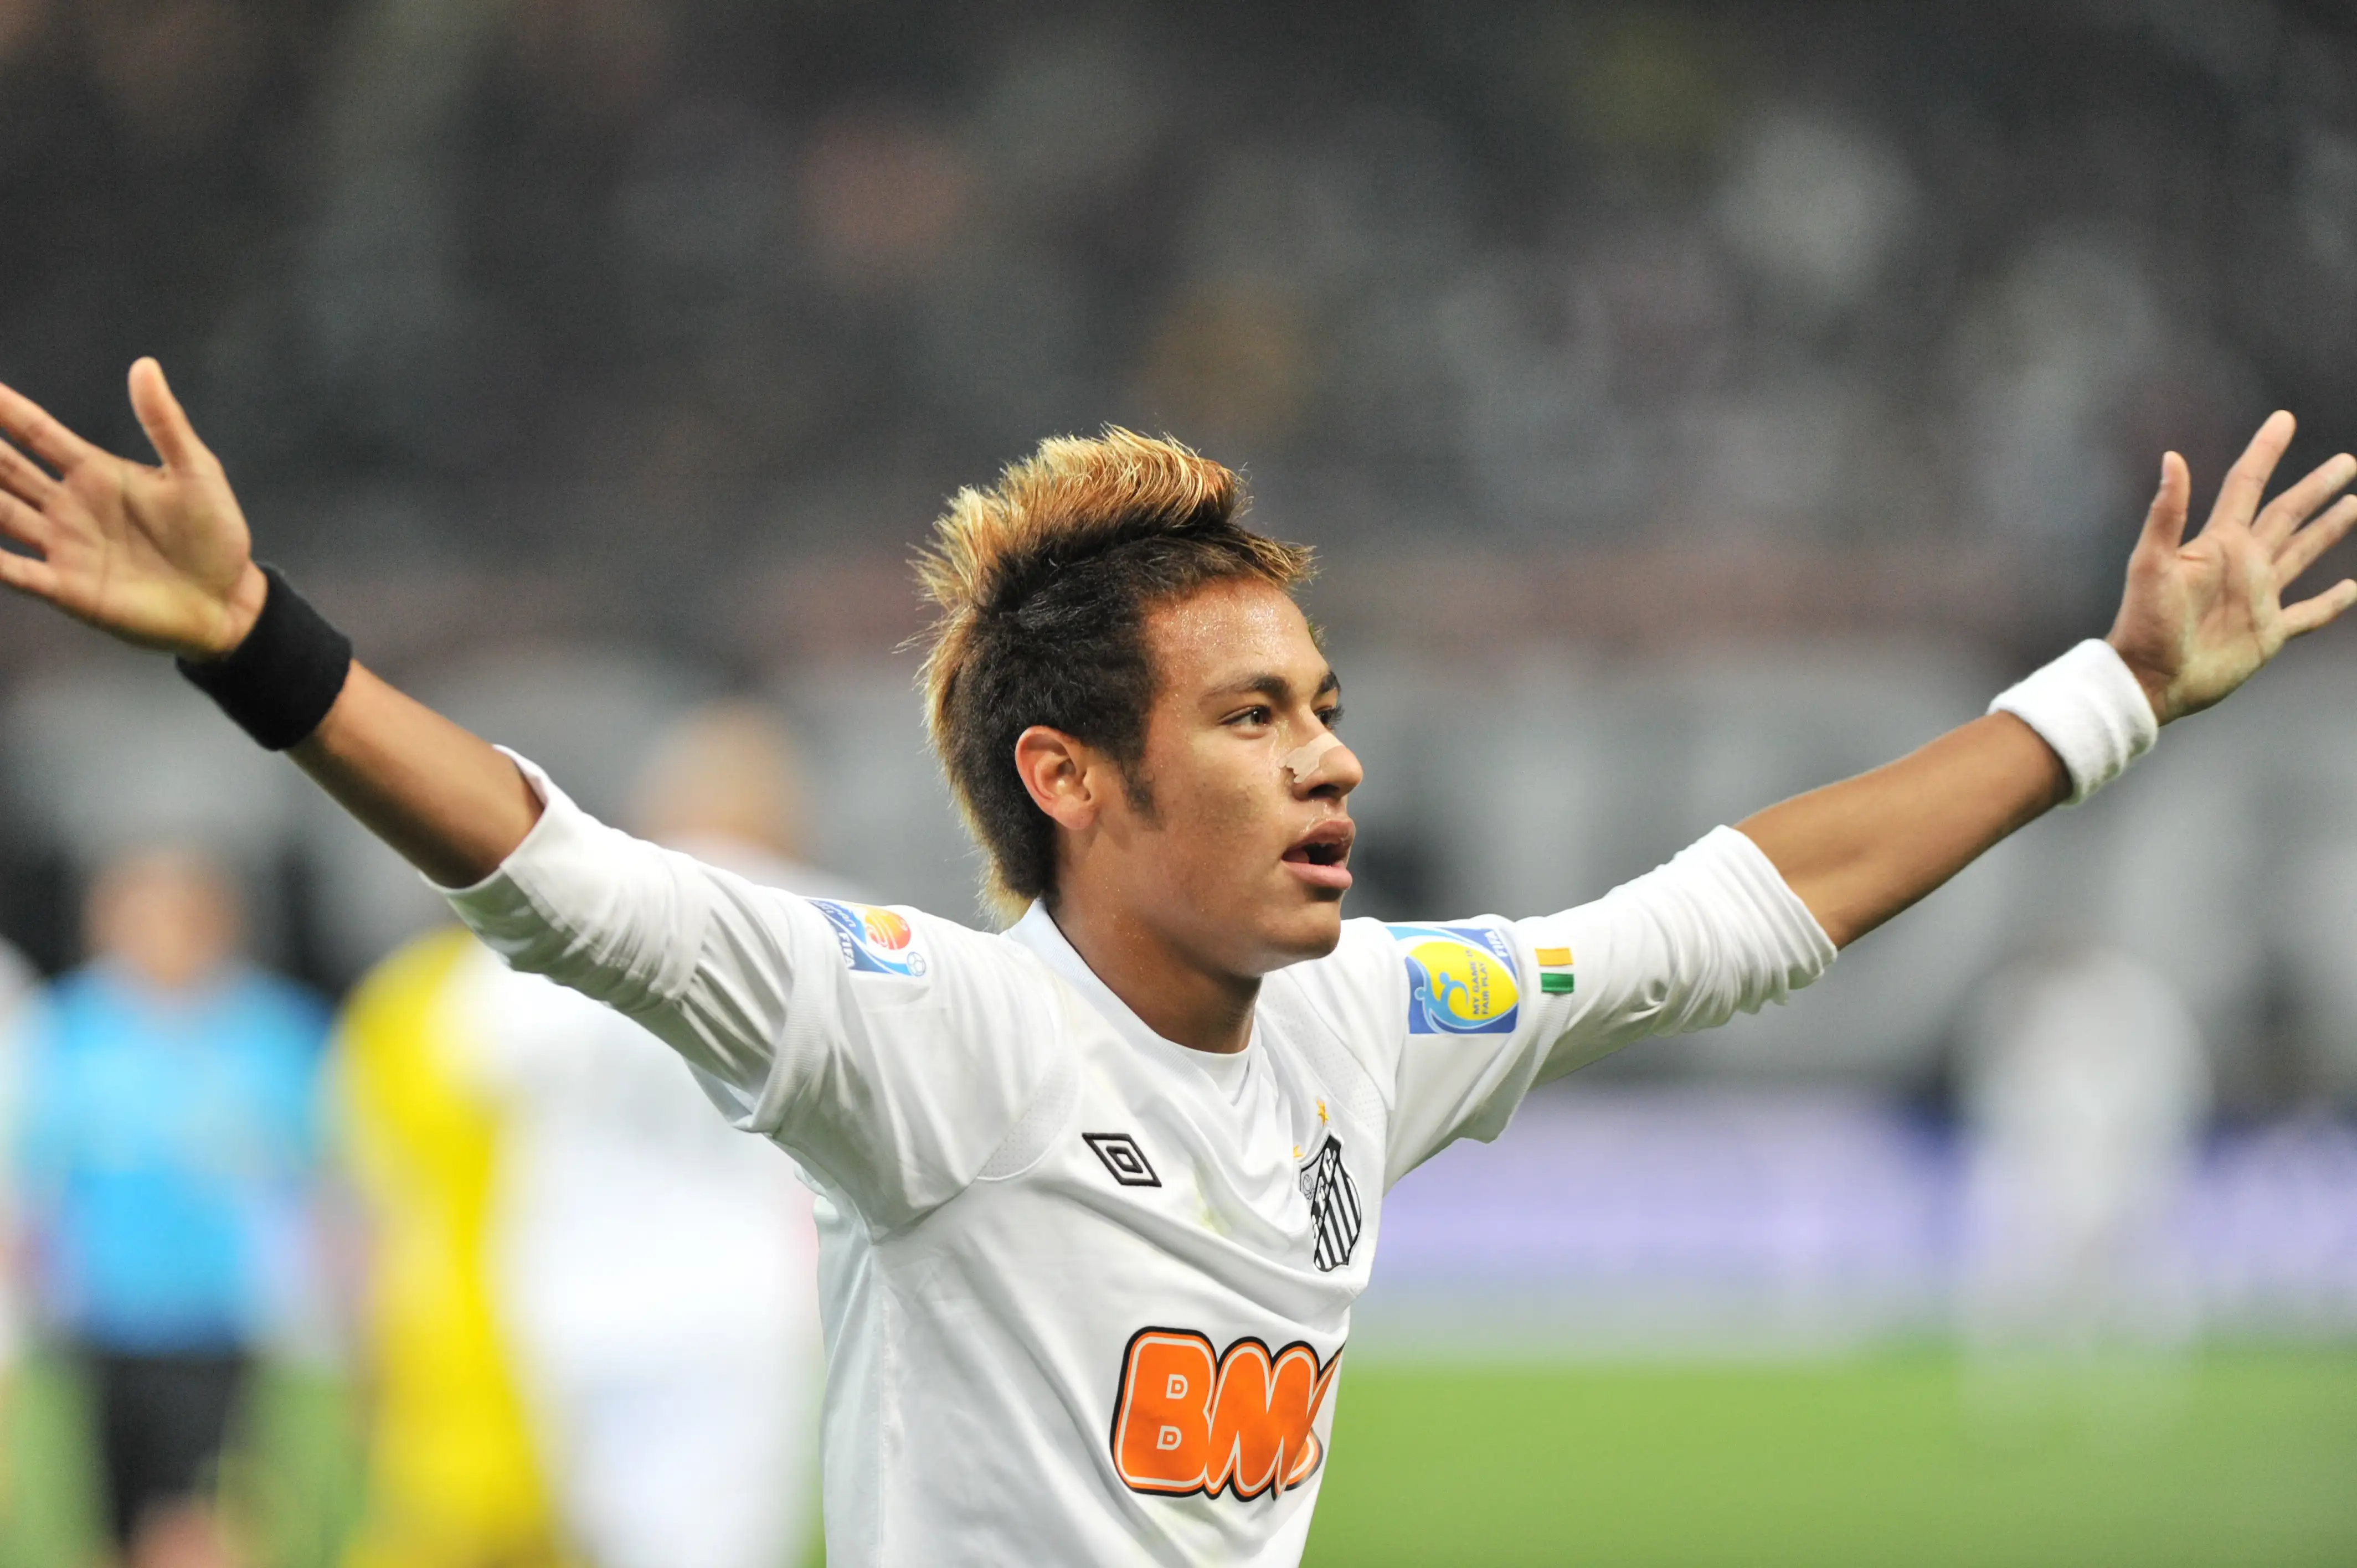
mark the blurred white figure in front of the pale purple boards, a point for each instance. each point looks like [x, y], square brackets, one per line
[2087, 1093]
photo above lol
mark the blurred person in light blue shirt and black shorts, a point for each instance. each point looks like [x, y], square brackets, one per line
[166, 1145]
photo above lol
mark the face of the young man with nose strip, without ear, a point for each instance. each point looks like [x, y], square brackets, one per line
[1243, 857]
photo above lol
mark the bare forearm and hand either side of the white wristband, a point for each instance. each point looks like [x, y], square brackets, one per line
[2196, 621]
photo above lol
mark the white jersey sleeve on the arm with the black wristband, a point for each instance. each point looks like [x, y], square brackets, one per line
[885, 1048]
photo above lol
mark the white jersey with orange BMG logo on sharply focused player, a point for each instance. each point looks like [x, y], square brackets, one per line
[1088, 1291]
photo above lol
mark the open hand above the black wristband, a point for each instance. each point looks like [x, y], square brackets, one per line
[152, 555]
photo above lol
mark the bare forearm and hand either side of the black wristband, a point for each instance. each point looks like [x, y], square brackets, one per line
[161, 558]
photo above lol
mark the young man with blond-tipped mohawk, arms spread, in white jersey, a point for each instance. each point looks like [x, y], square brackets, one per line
[1104, 1187]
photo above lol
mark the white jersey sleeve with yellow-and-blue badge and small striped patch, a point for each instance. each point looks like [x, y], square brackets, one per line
[1491, 1008]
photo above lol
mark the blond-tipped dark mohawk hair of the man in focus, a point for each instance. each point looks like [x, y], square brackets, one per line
[1043, 586]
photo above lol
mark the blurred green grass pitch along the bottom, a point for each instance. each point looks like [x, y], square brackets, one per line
[2250, 1461]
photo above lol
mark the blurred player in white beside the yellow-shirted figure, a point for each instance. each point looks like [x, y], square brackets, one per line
[656, 1267]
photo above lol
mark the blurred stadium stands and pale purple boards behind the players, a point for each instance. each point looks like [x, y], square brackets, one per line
[1691, 404]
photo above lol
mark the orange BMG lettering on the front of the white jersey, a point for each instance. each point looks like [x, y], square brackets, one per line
[1239, 1423]
